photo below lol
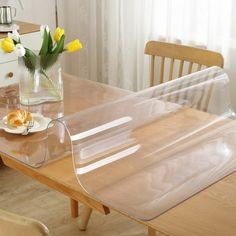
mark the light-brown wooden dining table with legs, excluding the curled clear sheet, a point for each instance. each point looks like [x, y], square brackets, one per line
[209, 212]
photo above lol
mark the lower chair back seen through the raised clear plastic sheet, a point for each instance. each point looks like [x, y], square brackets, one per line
[197, 90]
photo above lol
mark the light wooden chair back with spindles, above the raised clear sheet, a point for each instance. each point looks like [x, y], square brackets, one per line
[200, 58]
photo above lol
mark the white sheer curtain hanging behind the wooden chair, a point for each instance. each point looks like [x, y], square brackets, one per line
[114, 33]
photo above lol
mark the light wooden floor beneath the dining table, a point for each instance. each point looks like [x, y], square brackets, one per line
[22, 195]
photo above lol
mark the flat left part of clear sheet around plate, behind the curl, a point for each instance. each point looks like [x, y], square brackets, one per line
[32, 149]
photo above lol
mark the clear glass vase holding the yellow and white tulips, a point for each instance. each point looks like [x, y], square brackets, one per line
[42, 83]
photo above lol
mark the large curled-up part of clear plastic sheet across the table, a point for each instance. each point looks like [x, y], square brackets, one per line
[147, 152]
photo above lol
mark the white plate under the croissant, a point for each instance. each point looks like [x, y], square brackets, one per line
[40, 124]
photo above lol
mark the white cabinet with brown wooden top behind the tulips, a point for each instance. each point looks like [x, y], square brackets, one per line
[30, 38]
